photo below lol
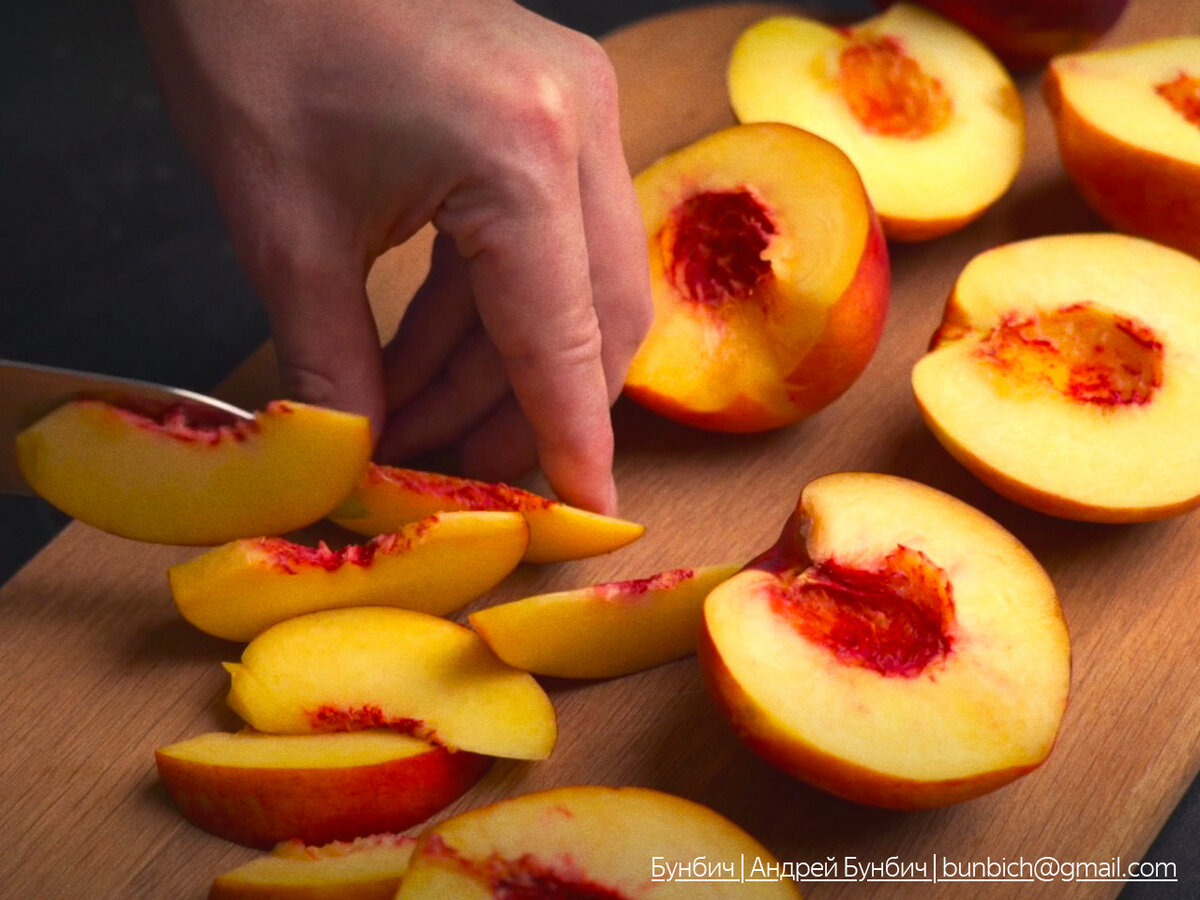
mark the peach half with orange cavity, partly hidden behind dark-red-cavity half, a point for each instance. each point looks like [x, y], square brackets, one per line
[929, 117]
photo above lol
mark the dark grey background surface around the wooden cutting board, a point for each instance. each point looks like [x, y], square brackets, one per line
[116, 259]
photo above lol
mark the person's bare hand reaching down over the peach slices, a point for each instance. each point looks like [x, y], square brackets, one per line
[333, 131]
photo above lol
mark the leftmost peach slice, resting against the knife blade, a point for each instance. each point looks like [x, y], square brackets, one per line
[170, 483]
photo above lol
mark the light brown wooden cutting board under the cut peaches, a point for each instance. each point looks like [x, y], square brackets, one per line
[101, 670]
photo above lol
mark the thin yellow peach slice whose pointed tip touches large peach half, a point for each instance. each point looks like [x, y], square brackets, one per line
[605, 631]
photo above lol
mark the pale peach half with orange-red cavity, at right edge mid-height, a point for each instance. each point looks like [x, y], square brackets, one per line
[1066, 376]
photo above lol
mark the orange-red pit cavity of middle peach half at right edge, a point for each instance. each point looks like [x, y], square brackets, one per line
[1081, 351]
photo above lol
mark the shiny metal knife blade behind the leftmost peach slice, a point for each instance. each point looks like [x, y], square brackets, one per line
[29, 392]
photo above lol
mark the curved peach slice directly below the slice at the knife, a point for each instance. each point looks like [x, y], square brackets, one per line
[241, 590]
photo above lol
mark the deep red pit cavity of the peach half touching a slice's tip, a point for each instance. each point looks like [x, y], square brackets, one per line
[895, 620]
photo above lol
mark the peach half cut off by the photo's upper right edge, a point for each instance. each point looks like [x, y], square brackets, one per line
[1129, 129]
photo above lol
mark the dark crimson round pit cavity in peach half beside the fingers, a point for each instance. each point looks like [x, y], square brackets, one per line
[713, 247]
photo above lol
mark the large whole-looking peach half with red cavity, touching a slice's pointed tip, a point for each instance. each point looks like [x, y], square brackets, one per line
[896, 647]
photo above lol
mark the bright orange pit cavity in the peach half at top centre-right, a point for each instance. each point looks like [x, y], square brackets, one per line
[889, 92]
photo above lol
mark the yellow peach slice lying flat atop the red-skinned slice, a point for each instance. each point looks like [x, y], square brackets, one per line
[370, 667]
